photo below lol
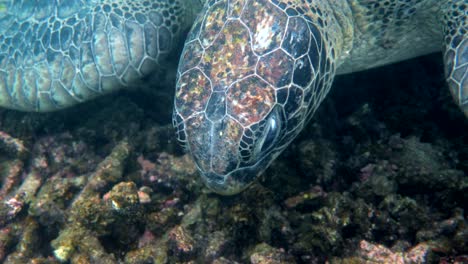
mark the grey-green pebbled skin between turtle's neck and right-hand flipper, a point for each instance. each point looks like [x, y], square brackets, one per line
[387, 31]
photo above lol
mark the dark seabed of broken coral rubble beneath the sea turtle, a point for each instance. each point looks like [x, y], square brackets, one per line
[379, 176]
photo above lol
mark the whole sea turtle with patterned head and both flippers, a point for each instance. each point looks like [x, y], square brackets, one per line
[251, 74]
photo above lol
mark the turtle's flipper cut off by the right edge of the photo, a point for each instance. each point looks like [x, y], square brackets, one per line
[456, 51]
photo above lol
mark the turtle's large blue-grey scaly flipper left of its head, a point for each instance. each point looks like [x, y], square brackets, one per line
[54, 53]
